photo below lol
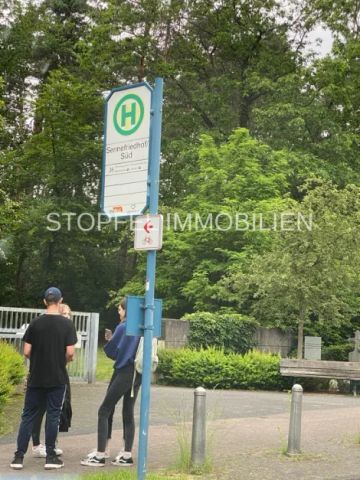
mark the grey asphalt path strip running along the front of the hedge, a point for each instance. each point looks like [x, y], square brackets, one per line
[173, 405]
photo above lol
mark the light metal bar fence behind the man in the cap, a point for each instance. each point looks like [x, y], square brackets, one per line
[14, 321]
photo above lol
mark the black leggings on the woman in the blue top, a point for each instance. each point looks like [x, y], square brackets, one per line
[120, 386]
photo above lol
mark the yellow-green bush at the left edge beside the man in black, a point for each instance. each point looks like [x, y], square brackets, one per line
[12, 371]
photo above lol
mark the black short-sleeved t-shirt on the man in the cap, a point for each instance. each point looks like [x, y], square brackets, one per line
[49, 335]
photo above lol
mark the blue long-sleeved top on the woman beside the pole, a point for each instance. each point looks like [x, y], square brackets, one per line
[122, 348]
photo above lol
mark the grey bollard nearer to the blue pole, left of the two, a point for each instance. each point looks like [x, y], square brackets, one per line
[198, 441]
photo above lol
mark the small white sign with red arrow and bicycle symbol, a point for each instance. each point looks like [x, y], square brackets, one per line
[148, 232]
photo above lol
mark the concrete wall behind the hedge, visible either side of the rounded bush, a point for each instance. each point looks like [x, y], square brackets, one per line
[274, 340]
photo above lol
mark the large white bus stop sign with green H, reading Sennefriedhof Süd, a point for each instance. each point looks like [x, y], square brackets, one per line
[126, 151]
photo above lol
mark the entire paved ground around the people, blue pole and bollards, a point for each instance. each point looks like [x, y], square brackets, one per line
[247, 435]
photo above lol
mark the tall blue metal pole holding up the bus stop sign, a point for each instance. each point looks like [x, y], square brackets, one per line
[155, 149]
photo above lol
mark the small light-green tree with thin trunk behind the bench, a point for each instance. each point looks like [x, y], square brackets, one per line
[307, 275]
